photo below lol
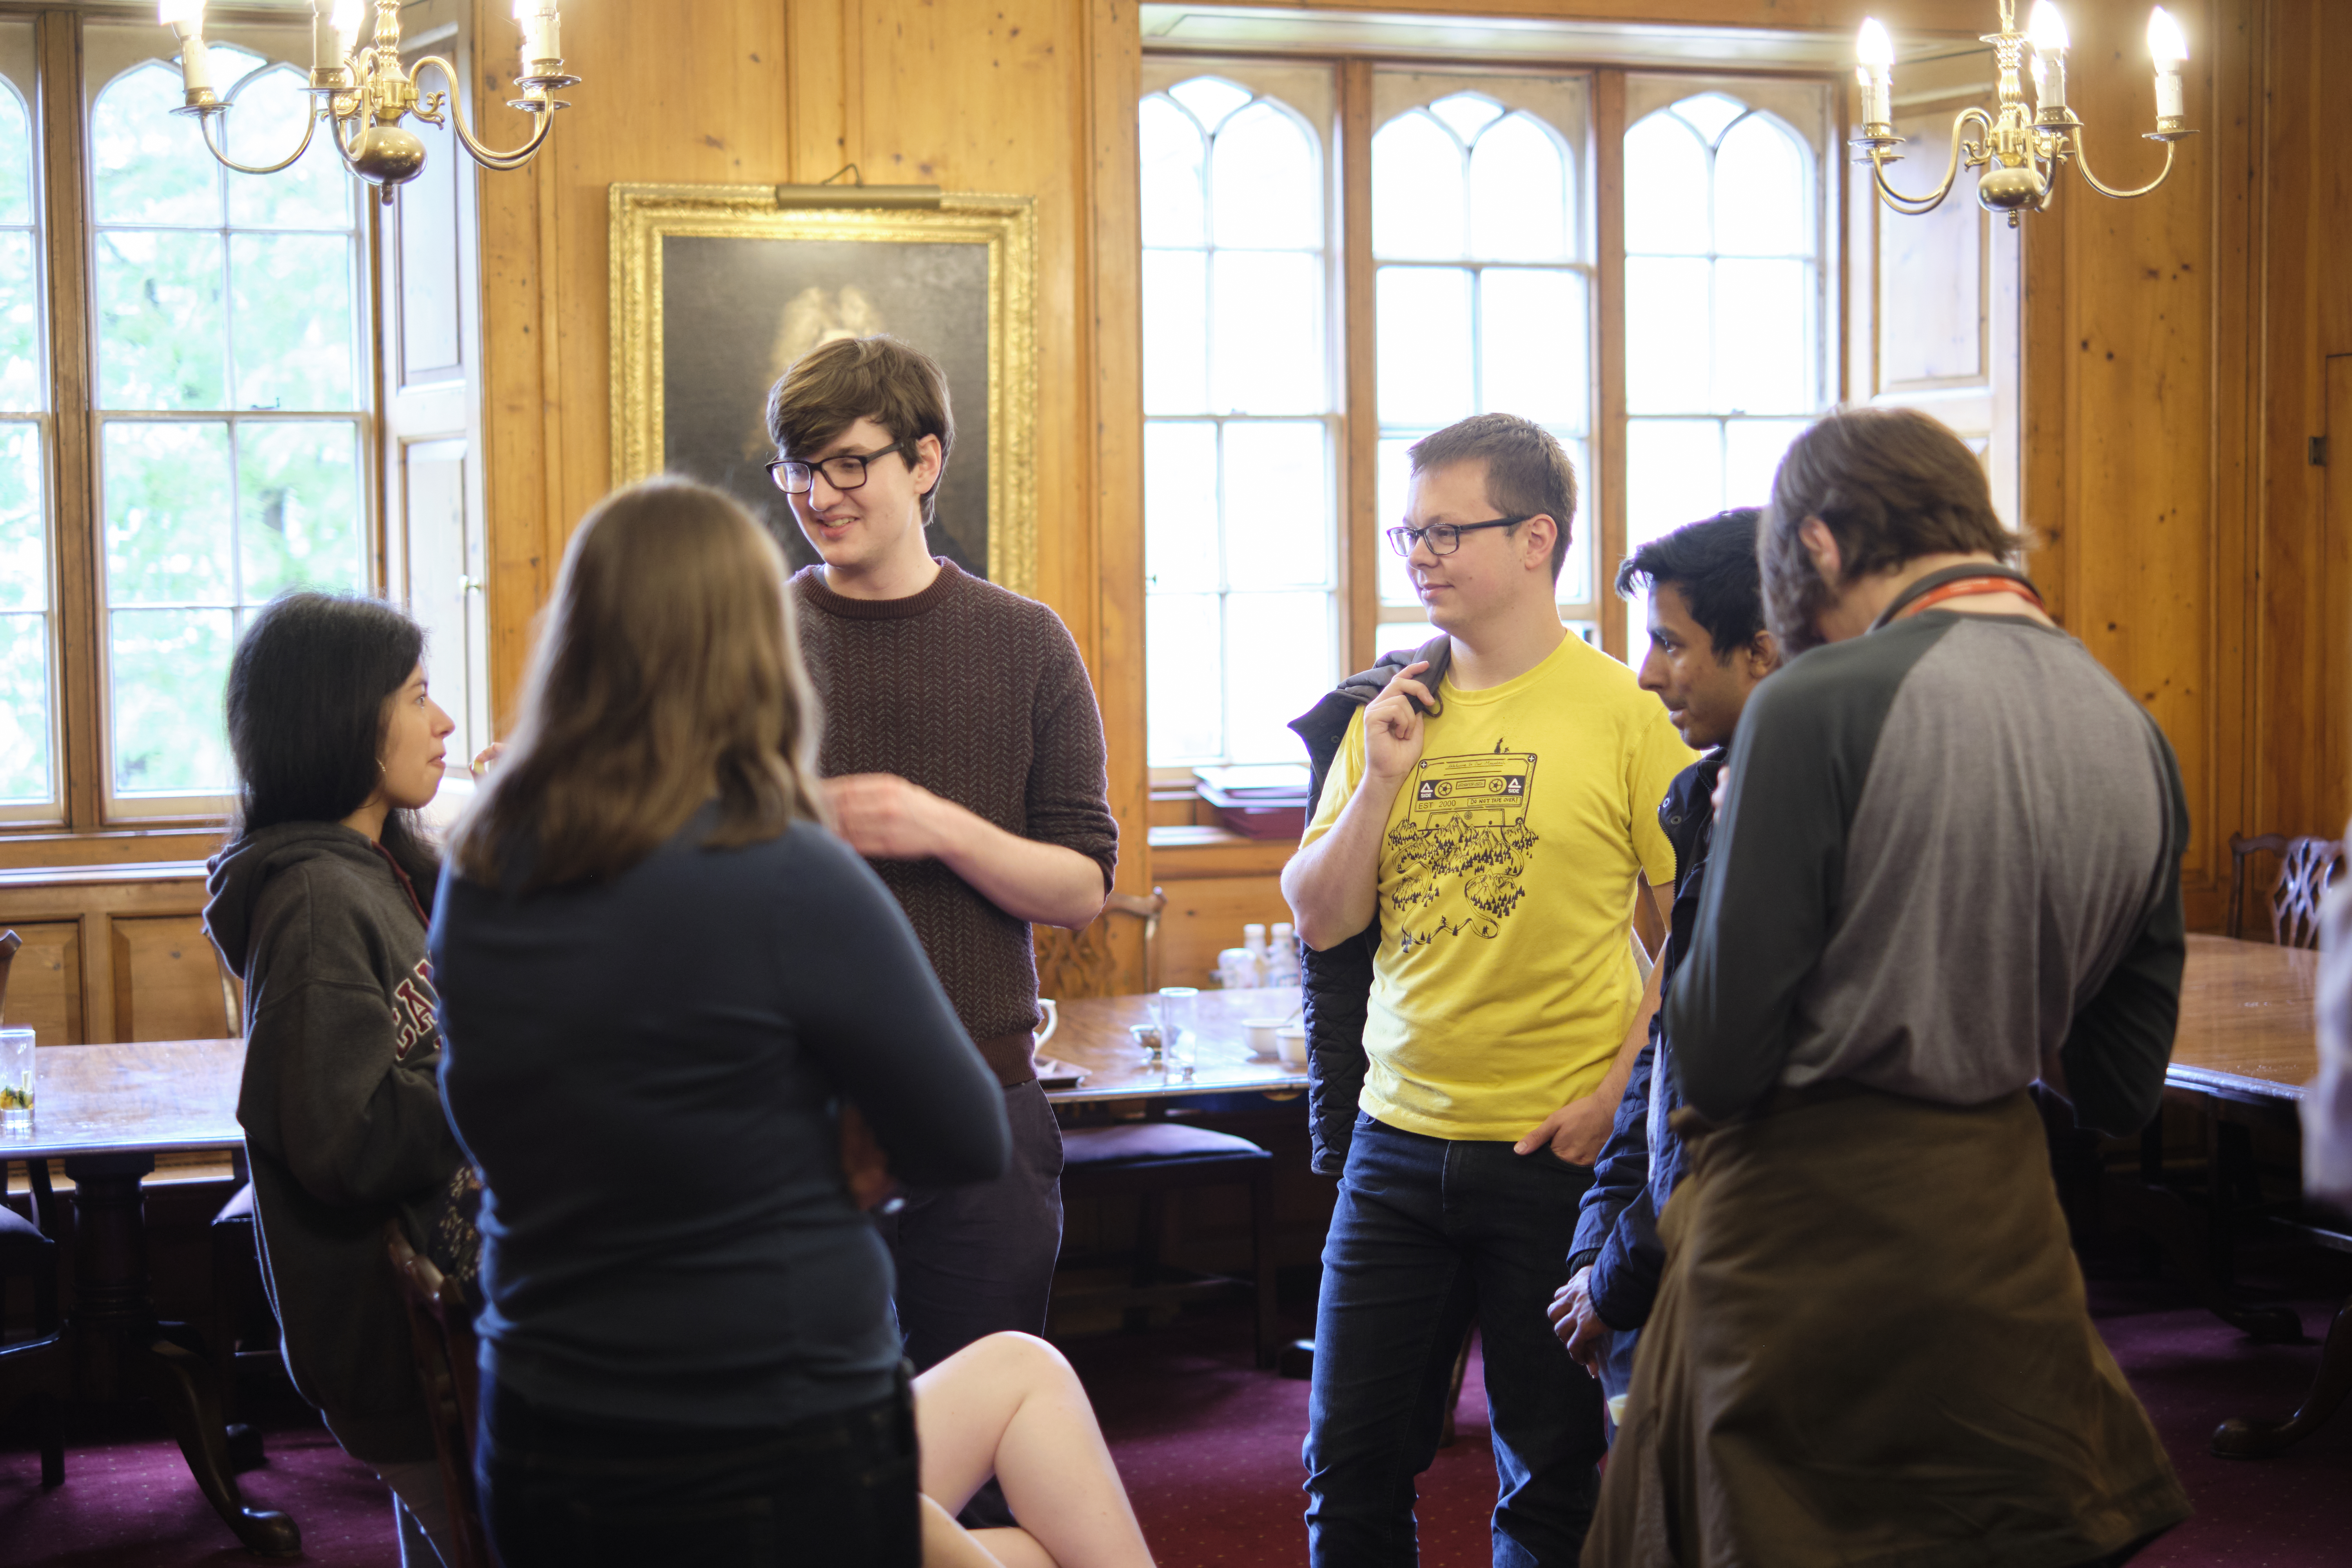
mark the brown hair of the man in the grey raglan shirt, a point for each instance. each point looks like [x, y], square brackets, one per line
[1890, 485]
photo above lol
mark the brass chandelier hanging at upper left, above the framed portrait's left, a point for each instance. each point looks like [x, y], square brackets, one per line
[363, 91]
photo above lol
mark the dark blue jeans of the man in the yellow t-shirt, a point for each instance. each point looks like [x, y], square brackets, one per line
[1429, 1238]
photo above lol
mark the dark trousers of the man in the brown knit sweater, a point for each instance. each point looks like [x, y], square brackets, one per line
[977, 1261]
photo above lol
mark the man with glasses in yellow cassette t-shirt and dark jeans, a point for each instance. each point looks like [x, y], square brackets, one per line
[1497, 824]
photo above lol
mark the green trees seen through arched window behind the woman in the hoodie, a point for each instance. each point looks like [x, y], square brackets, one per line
[227, 300]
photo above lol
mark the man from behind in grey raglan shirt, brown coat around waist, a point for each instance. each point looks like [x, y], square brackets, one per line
[1946, 869]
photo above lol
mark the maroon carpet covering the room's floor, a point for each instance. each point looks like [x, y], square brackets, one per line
[1210, 1452]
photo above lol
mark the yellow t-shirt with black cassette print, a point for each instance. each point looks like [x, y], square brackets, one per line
[1504, 981]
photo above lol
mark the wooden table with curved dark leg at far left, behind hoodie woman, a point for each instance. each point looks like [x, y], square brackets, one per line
[107, 1113]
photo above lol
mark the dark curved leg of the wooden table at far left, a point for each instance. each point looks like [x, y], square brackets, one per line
[121, 1346]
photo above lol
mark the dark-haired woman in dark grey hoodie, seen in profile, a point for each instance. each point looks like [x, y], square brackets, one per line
[321, 902]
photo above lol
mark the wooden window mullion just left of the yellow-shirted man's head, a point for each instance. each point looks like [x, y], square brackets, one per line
[1361, 467]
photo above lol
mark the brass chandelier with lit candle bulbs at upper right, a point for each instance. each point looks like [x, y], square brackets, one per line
[2019, 152]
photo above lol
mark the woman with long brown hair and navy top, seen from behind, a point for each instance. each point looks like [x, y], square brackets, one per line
[662, 984]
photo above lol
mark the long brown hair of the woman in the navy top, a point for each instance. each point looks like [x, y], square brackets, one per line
[667, 671]
